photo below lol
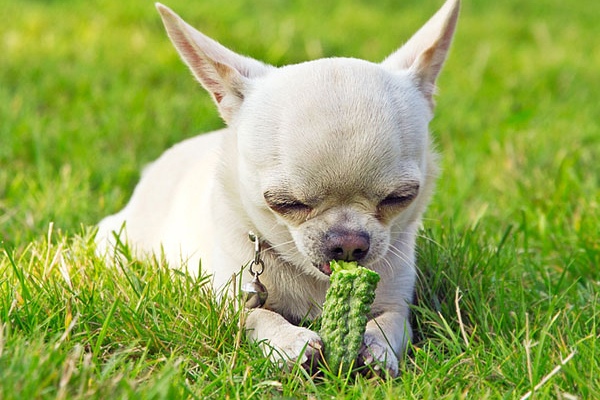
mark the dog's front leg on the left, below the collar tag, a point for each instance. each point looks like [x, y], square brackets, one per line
[281, 340]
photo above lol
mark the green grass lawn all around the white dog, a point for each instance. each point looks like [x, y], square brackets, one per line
[90, 91]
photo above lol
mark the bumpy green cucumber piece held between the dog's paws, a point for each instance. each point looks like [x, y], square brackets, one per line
[345, 312]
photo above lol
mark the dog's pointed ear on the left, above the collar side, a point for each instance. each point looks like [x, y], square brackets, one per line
[222, 72]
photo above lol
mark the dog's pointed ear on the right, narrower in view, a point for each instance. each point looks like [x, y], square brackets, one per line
[424, 54]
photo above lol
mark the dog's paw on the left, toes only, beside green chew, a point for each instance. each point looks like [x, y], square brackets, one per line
[296, 344]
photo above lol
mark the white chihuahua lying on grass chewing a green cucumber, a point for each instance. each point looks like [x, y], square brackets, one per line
[328, 159]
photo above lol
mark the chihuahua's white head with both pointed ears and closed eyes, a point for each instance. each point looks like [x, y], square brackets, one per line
[333, 155]
